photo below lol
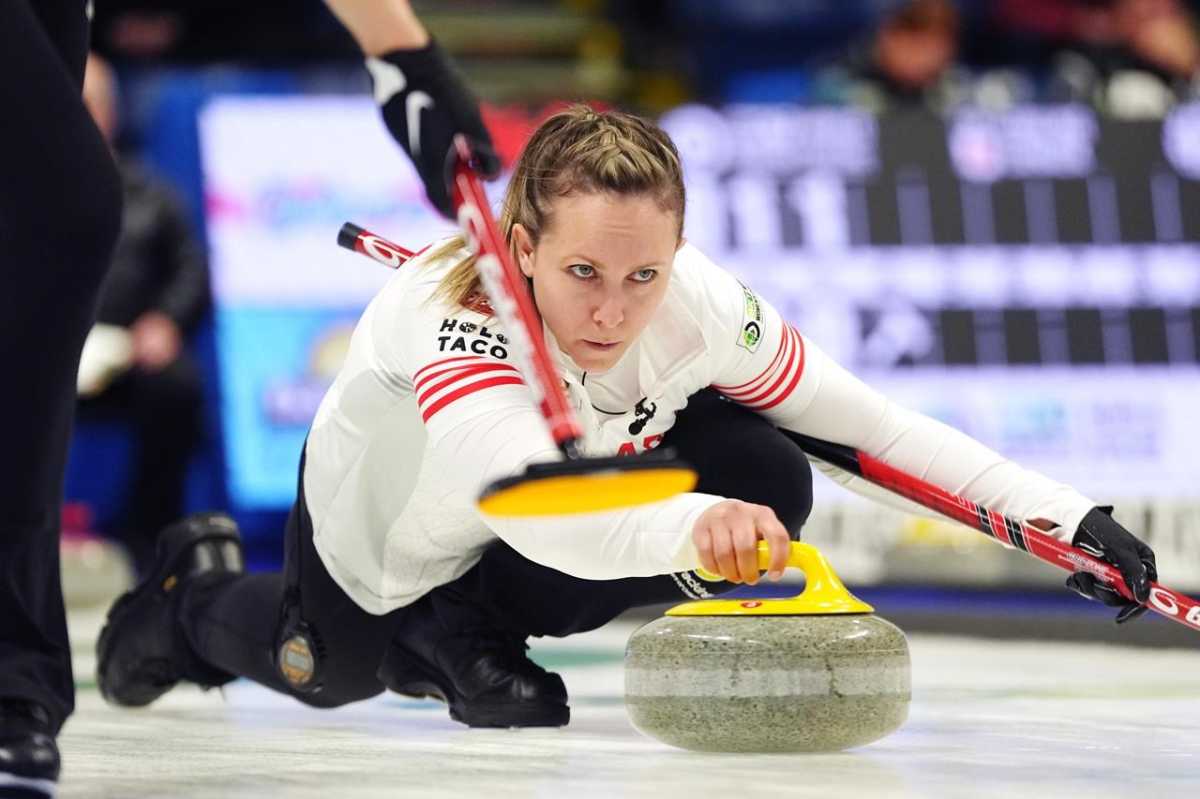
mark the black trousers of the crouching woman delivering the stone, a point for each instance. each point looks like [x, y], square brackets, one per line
[235, 624]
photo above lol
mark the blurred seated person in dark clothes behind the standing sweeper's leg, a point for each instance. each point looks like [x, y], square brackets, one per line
[155, 293]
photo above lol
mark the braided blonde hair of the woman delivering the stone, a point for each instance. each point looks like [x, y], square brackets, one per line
[577, 151]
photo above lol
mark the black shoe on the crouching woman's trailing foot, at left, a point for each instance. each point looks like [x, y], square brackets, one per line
[142, 653]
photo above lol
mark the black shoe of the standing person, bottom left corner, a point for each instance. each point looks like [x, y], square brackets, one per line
[29, 758]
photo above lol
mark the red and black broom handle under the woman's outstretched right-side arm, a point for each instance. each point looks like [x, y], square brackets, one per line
[1163, 600]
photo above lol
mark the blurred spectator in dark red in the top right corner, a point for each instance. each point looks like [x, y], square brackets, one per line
[1120, 55]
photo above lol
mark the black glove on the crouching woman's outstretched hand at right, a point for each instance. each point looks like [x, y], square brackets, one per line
[1102, 538]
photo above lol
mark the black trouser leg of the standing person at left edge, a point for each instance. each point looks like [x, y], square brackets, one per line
[61, 207]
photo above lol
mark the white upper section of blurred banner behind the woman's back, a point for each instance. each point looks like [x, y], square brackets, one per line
[281, 176]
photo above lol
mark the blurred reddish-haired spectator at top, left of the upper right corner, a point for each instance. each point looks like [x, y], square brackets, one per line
[908, 62]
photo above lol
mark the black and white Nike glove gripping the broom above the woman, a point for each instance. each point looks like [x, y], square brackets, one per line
[425, 104]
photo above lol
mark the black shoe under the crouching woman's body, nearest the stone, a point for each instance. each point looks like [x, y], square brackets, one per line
[446, 650]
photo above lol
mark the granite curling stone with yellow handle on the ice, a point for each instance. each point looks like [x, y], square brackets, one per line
[815, 674]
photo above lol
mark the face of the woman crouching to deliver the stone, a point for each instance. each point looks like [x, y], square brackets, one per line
[599, 272]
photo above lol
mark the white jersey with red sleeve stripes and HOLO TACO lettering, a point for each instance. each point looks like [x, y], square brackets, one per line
[430, 408]
